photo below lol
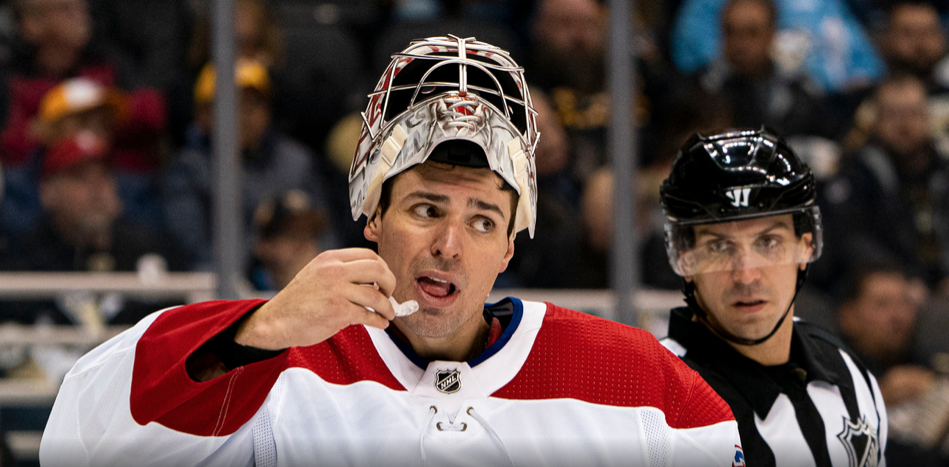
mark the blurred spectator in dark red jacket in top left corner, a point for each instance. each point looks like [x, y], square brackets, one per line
[58, 45]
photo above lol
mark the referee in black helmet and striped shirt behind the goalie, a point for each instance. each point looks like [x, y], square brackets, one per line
[742, 227]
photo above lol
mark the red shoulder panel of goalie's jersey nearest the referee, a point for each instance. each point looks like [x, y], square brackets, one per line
[583, 357]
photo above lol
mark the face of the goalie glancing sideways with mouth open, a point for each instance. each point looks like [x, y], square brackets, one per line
[444, 236]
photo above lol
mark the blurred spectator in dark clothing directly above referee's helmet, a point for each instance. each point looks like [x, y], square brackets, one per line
[759, 90]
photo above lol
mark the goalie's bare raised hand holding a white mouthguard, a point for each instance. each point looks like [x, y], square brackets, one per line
[331, 293]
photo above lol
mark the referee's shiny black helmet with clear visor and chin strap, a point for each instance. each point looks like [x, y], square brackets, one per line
[731, 176]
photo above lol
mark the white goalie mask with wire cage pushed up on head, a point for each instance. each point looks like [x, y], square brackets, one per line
[444, 89]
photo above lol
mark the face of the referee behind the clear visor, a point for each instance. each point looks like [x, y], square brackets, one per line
[748, 299]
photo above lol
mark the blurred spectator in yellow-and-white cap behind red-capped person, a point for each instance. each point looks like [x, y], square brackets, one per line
[74, 106]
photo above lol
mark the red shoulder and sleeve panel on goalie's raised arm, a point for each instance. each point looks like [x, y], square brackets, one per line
[163, 392]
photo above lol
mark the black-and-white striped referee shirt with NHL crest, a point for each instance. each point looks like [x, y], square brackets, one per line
[822, 408]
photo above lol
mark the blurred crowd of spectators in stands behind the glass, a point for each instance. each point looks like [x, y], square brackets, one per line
[106, 116]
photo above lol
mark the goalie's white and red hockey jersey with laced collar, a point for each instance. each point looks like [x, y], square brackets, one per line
[557, 387]
